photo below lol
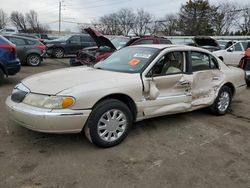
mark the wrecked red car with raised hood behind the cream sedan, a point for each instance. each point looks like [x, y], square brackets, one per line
[105, 47]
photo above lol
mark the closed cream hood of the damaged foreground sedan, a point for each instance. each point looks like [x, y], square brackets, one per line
[54, 82]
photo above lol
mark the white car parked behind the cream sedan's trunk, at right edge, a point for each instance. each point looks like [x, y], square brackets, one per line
[233, 52]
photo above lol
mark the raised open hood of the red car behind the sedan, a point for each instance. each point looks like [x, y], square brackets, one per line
[99, 38]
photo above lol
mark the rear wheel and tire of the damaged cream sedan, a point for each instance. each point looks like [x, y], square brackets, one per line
[222, 102]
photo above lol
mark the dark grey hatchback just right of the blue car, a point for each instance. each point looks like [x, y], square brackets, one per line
[29, 50]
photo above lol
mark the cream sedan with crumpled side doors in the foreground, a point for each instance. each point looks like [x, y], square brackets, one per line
[133, 84]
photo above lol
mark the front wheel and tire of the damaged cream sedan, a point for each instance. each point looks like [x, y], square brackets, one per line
[103, 129]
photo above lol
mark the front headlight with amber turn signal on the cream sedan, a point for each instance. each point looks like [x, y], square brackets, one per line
[50, 102]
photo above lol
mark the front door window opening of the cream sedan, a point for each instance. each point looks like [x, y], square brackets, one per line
[171, 63]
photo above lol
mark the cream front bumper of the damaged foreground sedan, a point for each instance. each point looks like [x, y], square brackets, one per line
[46, 120]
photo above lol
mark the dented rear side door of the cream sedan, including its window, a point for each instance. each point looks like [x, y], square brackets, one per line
[206, 78]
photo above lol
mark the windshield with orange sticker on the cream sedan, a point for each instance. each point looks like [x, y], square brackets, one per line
[129, 59]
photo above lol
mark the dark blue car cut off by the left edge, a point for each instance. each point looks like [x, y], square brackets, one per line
[9, 63]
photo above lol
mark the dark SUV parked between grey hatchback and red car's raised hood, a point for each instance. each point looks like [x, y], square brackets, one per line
[68, 45]
